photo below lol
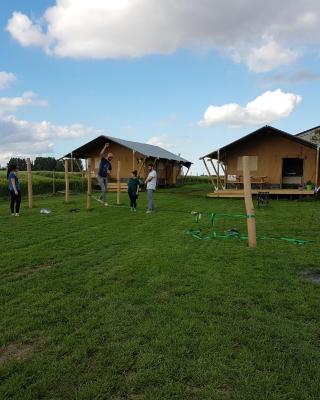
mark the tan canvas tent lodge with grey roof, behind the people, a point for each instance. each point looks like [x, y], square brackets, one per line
[132, 156]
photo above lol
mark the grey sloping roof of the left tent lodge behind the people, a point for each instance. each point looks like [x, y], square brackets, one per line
[145, 149]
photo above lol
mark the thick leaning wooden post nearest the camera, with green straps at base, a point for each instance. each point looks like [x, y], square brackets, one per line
[251, 222]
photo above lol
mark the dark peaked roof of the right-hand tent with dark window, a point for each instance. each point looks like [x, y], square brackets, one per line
[265, 130]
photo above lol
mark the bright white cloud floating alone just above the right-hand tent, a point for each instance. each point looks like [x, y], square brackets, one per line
[265, 109]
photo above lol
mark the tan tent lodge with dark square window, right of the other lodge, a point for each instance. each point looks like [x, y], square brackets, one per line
[279, 162]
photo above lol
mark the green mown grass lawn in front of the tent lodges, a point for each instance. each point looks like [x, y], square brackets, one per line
[110, 304]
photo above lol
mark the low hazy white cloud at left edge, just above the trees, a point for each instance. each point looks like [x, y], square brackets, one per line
[23, 138]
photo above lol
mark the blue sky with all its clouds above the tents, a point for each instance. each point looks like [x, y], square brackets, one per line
[187, 75]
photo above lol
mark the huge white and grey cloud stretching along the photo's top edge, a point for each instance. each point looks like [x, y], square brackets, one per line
[263, 35]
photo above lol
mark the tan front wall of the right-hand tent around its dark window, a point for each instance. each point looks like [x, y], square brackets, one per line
[270, 151]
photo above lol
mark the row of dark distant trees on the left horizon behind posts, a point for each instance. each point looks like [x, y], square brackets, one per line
[45, 164]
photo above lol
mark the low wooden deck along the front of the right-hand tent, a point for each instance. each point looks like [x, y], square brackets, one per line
[238, 193]
